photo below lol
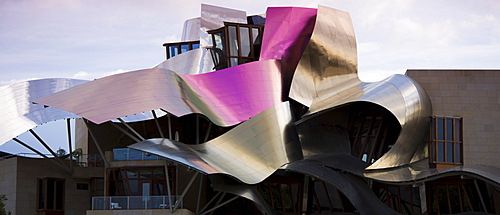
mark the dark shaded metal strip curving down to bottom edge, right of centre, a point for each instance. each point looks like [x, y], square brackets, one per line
[353, 187]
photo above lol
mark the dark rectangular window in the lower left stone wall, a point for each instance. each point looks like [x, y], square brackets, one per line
[51, 195]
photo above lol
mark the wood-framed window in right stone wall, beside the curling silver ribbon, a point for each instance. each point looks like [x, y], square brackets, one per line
[446, 140]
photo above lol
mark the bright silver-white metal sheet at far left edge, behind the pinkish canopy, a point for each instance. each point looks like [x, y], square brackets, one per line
[17, 112]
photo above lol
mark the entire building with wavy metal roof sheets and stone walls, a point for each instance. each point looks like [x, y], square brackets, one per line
[282, 126]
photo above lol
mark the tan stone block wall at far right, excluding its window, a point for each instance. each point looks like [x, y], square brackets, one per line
[473, 95]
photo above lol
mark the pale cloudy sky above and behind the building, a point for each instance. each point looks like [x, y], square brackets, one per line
[88, 39]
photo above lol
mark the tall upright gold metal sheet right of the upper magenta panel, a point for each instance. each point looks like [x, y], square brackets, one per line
[329, 63]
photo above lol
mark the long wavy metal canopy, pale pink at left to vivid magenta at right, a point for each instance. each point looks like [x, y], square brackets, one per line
[226, 97]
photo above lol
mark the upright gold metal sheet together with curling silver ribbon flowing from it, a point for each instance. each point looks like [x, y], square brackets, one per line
[326, 77]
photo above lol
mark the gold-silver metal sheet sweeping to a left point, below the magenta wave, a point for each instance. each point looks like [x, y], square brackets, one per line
[249, 152]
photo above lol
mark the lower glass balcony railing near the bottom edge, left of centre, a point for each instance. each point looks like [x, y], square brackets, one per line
[133, 202]
